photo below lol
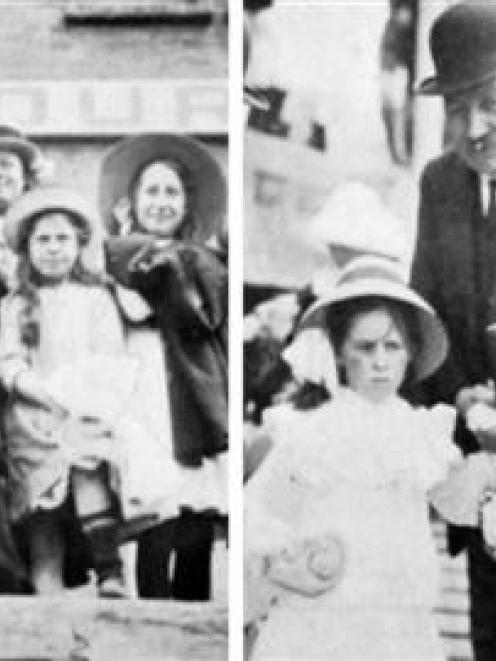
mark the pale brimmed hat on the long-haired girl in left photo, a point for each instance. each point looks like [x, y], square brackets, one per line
[44, 199]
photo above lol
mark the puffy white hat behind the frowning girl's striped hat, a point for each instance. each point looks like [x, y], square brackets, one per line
[354, 216]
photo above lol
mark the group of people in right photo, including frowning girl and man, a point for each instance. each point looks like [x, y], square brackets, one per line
[387, 407]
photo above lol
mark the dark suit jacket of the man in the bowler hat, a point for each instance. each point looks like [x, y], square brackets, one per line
[454, 268]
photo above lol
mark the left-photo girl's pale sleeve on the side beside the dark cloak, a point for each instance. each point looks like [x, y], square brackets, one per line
[106, 327]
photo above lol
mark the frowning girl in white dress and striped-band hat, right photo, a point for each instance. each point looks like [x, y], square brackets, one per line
[337, 530]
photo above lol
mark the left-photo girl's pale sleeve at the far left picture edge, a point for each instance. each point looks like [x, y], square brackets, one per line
[14, 356]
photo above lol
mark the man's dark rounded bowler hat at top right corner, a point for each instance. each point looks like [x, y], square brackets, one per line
[463, 47]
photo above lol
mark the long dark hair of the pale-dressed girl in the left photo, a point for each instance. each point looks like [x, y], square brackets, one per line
[28, 280]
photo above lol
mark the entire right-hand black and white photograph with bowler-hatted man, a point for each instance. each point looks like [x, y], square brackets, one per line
[369, 400]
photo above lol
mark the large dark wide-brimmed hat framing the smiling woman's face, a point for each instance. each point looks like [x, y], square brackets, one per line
[123, 162]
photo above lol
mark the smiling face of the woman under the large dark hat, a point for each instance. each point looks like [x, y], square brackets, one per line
[160, 200]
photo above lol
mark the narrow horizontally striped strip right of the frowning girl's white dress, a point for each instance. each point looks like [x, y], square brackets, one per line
[453, 608]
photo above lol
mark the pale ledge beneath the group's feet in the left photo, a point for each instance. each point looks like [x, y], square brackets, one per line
[97, 629]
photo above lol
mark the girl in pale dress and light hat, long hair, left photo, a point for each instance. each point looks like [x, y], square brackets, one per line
[60, 342]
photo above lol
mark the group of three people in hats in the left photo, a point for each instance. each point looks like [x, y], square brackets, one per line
[113, 378]
